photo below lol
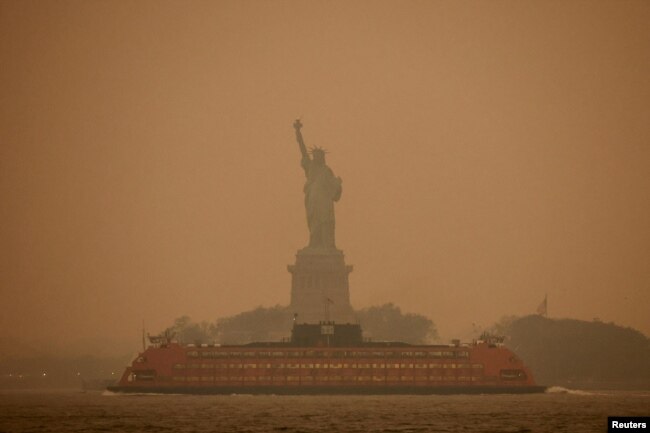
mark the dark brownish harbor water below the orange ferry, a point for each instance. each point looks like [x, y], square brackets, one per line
[559, 410]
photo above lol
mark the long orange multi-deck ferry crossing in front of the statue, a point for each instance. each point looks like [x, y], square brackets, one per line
[327, 358]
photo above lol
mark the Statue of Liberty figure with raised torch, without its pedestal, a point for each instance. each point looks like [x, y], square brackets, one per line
[321, 189]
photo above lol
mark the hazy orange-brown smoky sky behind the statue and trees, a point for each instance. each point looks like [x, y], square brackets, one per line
[491, 152]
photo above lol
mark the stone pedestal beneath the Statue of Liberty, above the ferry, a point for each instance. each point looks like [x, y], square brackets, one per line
[319, 286]
